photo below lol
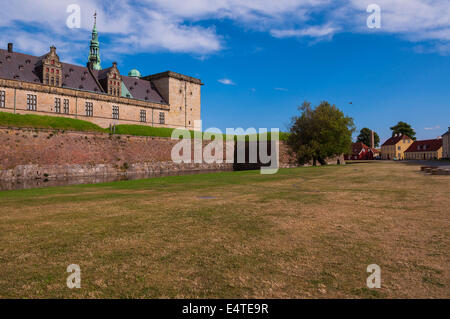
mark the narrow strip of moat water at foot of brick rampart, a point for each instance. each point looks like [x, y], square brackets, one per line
[42, 183]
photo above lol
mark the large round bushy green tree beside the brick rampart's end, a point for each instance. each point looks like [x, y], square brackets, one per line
[320, 133]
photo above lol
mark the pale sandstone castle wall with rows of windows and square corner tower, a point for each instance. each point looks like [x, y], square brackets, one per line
[183, 109]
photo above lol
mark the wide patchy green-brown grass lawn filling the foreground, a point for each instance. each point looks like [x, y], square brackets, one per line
[302, 233]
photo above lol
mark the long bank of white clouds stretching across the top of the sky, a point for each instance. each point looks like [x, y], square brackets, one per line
[188, 25]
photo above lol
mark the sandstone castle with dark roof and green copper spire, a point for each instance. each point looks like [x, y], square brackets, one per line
[47, 86]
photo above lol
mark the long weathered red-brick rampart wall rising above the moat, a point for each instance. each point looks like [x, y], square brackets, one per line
[37, 154]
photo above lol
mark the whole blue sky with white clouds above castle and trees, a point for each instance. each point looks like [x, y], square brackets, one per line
[259, 60]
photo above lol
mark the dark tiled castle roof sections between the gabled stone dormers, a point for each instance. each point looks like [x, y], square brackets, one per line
[24, 67]
